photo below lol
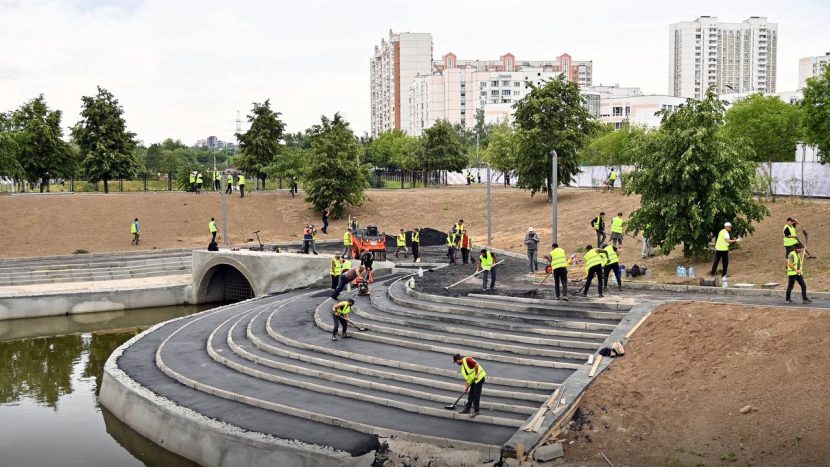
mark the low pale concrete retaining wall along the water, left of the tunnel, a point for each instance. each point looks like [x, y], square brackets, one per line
[86, 301]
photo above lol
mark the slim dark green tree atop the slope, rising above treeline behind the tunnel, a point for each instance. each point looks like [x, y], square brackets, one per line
[260, 144]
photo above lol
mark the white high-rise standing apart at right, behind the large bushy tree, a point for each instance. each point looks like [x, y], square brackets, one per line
[732, 57]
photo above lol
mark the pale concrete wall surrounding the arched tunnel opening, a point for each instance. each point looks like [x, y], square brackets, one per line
[266, 272]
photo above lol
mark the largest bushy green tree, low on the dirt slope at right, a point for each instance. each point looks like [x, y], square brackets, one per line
[691, 180]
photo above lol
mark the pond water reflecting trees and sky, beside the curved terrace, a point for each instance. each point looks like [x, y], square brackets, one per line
[49, 388]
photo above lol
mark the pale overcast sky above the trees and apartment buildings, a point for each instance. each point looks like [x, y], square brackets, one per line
[182, 69]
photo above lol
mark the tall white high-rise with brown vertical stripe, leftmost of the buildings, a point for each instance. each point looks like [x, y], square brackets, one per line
[395, 64]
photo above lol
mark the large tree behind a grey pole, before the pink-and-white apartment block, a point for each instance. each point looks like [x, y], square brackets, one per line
[550, 117]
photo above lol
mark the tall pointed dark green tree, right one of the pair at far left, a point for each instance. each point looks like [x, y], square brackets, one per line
[107, 148]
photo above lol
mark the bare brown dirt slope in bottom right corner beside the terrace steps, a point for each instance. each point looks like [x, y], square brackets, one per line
[676, 397]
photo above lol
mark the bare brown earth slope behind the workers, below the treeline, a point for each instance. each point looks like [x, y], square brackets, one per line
[60, 224]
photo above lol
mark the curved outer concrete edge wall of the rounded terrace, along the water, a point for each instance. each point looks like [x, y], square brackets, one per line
[201, 439]
